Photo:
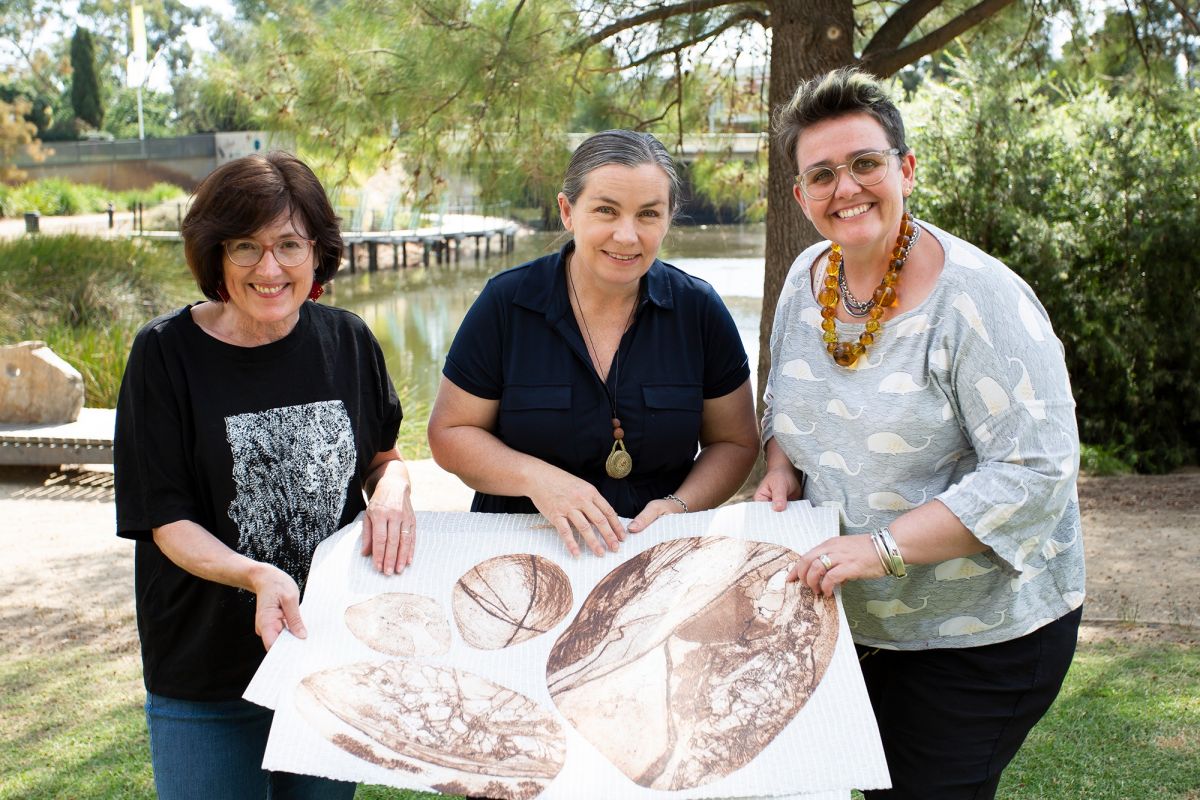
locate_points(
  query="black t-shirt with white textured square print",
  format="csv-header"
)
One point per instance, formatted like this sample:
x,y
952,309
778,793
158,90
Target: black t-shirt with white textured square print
x,y
266,448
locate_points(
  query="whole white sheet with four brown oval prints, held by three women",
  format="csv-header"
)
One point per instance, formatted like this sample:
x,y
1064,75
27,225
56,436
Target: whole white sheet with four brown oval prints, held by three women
x,y
663,672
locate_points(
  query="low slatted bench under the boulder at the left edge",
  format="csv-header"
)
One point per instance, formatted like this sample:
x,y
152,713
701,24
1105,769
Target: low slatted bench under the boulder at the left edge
x,y
88,441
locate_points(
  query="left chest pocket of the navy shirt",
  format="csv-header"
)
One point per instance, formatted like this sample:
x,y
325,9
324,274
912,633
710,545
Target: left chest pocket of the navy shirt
x,y
537,420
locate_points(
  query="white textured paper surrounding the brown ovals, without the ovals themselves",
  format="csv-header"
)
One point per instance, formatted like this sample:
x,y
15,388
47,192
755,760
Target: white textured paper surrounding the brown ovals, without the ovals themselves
x,y
830,747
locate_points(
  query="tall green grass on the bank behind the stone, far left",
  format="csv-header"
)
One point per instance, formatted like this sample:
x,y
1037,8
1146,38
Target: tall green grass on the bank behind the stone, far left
x,y
87,298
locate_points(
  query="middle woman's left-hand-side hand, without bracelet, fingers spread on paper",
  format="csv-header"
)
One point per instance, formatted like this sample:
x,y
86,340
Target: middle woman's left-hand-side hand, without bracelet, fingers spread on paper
x,y
573,504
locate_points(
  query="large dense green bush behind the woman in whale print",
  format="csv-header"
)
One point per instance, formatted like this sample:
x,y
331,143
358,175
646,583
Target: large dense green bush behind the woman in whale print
x,y
1094,200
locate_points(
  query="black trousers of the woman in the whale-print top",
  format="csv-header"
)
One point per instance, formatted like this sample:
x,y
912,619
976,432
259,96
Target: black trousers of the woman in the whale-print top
x,y
952,720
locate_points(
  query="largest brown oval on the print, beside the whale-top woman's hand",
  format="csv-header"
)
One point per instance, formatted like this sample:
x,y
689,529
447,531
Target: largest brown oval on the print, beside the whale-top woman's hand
x,y
700,647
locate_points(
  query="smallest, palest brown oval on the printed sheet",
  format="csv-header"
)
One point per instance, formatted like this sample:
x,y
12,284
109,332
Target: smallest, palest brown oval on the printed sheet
x,y
401,624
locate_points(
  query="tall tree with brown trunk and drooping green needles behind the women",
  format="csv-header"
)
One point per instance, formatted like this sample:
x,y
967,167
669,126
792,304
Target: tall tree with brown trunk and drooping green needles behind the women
x,y
497,77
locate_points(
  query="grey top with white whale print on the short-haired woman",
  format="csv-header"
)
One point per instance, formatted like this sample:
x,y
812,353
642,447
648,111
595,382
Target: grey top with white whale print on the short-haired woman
x,y
964,400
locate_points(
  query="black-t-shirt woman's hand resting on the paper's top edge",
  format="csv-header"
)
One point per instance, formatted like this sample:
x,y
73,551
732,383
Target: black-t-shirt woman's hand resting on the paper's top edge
x,y
389,526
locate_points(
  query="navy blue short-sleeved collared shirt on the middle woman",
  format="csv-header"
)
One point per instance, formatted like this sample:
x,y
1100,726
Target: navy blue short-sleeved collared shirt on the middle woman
x,y
520,345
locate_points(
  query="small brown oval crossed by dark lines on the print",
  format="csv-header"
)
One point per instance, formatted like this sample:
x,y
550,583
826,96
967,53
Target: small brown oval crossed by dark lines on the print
x,y
511,599
